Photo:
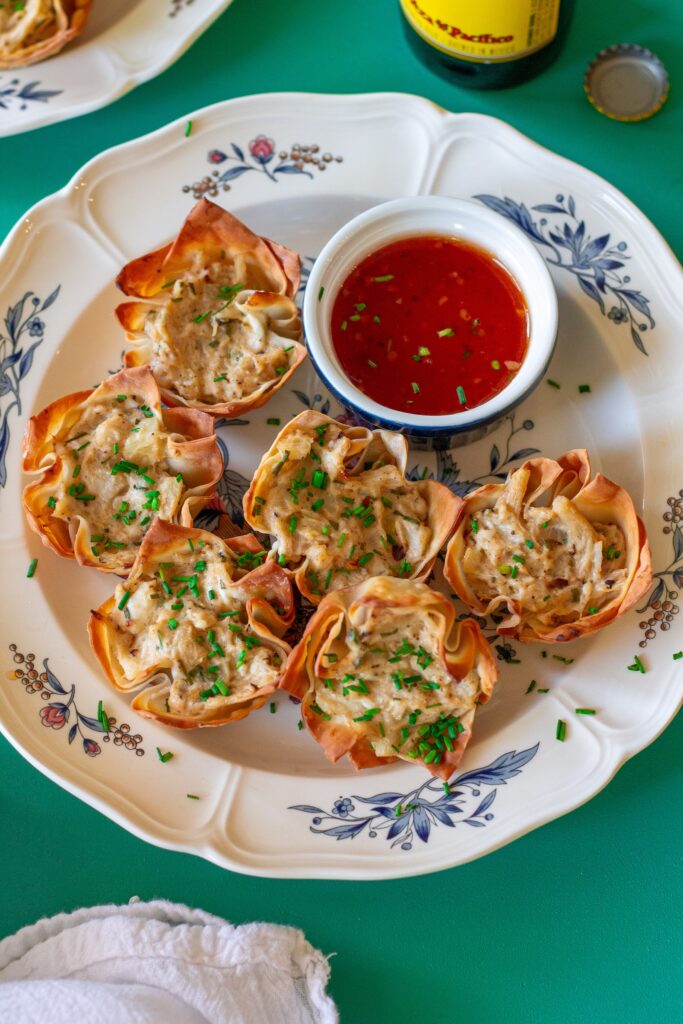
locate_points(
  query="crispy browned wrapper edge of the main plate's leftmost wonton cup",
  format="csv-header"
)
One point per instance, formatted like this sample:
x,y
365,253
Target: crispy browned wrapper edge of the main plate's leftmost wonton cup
x,y
194,451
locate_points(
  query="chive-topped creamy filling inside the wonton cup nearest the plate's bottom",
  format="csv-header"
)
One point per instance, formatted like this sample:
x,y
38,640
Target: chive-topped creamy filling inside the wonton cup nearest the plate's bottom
x,y
390,679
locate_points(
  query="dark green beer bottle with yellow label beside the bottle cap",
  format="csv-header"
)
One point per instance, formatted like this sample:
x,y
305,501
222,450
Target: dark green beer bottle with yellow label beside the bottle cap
x,y
487,45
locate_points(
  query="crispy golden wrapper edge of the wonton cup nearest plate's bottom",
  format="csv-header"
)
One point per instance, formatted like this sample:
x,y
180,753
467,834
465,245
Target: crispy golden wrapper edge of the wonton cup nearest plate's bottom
x,y
462,647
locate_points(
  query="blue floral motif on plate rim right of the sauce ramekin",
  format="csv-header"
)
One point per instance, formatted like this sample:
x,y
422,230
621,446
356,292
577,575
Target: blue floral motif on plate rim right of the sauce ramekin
x,y
595,263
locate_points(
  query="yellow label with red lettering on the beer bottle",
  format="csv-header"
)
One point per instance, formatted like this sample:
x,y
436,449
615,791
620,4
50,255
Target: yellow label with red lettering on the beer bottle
x,y
485,30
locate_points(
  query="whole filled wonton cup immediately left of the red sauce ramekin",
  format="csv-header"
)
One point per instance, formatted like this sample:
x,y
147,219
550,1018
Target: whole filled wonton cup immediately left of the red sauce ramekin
x,y
219,327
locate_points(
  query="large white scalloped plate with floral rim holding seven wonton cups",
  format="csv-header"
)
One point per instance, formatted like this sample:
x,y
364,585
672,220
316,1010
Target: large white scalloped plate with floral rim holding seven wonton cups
x,y
270,803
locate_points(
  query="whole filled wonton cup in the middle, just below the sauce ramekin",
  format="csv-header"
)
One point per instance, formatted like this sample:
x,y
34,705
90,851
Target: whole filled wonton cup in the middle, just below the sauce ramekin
x,y
340,509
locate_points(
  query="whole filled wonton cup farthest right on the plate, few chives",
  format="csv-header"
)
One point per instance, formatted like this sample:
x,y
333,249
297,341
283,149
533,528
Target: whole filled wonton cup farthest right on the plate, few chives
x,y
556,553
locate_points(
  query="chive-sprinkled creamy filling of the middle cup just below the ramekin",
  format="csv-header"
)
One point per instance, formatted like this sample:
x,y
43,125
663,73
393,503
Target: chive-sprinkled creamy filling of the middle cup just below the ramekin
x,y
348,529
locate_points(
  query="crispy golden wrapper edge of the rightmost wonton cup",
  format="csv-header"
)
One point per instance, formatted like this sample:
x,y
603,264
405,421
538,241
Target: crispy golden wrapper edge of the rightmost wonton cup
x,y
599,500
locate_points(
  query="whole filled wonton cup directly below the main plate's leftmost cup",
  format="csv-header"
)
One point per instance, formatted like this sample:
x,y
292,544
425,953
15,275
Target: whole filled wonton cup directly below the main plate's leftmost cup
x,y
207,643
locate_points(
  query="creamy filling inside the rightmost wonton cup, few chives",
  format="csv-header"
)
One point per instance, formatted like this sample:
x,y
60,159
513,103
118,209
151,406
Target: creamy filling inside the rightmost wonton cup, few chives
x,y
552,561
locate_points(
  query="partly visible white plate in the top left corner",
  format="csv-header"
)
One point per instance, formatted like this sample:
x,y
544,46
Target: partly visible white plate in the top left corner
x,y
125,42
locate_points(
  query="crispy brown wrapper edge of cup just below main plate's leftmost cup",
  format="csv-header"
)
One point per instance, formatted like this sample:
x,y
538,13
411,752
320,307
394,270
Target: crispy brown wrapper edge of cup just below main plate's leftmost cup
x,y
269,584
